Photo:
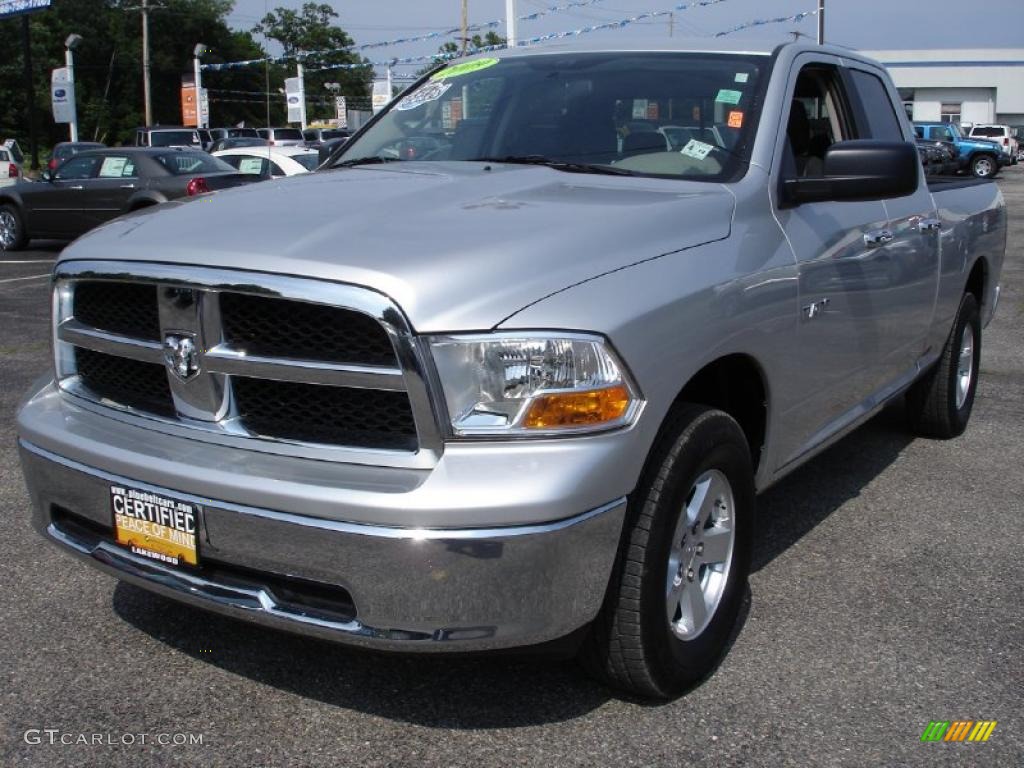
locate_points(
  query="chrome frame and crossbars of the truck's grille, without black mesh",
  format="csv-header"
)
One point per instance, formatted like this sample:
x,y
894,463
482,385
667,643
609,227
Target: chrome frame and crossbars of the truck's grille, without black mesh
x,y
411,374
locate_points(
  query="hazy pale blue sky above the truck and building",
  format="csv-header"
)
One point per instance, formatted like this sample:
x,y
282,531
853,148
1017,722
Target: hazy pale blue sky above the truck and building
x,y
872,25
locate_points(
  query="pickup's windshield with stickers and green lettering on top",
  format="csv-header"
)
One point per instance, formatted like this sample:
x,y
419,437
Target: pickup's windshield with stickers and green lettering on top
x,y
677,115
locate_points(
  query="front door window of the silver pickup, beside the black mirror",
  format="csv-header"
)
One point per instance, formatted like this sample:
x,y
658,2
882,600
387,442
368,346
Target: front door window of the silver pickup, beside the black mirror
x,y
817,120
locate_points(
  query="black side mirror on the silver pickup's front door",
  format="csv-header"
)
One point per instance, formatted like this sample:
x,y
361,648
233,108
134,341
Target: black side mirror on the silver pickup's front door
x,y
862,170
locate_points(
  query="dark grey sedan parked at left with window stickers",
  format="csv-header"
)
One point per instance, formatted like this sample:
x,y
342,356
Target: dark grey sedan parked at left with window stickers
x,y
97,186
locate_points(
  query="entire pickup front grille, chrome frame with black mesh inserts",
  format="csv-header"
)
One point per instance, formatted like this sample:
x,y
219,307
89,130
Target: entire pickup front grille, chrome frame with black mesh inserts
x,y
288,365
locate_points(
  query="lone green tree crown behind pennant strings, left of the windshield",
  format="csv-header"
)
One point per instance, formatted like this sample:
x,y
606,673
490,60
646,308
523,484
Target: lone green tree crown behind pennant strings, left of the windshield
x,y
310,33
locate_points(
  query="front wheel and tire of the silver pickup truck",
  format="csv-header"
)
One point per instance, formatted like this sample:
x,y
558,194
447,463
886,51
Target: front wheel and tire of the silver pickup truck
x,y
681,574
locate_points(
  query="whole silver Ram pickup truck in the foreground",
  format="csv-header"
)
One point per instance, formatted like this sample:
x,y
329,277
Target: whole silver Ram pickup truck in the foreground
x,y
515,368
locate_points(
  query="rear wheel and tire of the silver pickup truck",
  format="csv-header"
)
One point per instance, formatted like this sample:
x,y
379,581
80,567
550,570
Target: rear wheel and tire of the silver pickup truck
x,y
940,404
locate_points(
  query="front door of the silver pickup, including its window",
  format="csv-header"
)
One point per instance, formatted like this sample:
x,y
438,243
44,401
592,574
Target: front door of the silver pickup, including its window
x,y
840,339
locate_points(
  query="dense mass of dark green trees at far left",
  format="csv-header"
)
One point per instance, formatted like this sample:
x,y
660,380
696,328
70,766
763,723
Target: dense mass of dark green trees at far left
x,y
109,69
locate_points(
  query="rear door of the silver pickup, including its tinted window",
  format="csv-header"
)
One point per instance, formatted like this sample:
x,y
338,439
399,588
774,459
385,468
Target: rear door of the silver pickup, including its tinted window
x,y
910,259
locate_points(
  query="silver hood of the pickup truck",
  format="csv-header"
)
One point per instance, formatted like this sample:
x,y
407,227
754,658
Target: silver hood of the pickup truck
x,y
458,246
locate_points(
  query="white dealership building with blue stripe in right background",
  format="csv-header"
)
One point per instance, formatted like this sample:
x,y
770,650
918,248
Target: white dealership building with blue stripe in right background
x,y
983,86
